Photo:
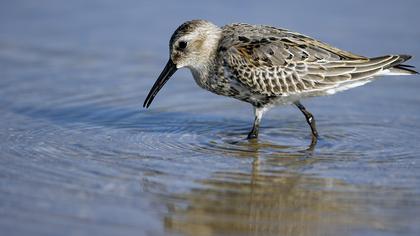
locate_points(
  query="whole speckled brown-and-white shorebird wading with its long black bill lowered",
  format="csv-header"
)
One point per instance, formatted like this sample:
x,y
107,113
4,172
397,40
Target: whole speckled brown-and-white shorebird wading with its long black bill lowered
x,y
267,66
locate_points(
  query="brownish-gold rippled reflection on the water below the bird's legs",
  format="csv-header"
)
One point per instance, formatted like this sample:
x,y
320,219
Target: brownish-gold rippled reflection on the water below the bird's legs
x,y
278,196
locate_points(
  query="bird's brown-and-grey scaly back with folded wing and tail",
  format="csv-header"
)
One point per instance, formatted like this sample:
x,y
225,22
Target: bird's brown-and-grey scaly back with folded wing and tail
x,y
272,63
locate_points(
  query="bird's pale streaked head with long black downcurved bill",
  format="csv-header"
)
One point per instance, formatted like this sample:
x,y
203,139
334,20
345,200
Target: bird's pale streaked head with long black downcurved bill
x,y
192,45
